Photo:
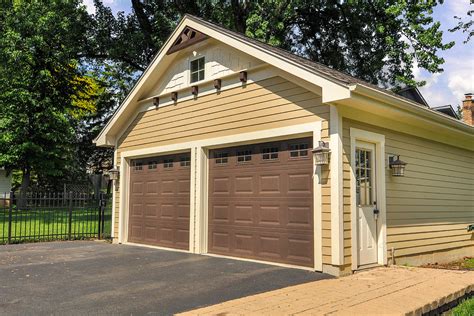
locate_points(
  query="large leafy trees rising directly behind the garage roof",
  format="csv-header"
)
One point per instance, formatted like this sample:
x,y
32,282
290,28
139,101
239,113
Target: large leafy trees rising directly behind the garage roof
x,y
377,41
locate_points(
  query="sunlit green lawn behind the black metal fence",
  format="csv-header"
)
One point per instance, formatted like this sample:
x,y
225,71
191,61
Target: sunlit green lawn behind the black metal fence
x,y
52,224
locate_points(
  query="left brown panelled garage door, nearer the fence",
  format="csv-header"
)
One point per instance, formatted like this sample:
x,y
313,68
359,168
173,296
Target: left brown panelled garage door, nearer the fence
x,y
159,201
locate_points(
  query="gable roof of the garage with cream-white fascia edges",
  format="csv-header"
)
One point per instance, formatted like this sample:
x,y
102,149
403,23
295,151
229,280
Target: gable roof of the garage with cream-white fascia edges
x,y
336,85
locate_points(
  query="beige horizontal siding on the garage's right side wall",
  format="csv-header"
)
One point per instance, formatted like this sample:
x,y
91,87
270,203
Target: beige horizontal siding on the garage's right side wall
x,y
429,209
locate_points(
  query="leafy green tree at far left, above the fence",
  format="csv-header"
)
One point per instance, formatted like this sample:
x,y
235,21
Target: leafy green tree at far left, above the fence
x,y
41,85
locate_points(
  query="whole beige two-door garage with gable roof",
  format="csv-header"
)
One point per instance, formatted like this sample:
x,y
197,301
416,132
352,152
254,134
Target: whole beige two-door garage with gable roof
x,y
214,150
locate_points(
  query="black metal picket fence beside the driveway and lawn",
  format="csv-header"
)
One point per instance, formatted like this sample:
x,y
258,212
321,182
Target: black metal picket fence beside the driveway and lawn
x,y
36,216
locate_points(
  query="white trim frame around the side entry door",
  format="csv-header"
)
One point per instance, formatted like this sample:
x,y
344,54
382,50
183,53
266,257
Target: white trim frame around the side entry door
x,y
379,141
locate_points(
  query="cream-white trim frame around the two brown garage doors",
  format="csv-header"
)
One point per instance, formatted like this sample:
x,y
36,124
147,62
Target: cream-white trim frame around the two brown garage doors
x,y
199,179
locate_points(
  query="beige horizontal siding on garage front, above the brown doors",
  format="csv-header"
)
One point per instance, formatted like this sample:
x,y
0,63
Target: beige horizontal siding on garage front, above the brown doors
x,y
266,104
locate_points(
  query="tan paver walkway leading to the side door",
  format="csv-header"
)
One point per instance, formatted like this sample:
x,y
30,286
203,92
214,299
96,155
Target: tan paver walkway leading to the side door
x,y
382,291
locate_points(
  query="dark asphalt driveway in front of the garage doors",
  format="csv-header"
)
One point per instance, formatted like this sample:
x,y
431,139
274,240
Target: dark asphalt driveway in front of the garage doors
x,y
98,278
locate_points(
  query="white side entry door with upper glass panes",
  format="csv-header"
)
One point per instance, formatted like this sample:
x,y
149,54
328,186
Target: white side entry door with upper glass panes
x,y
367,212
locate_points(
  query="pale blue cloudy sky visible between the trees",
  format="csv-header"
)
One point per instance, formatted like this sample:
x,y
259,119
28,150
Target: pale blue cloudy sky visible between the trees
x,y
443,88
